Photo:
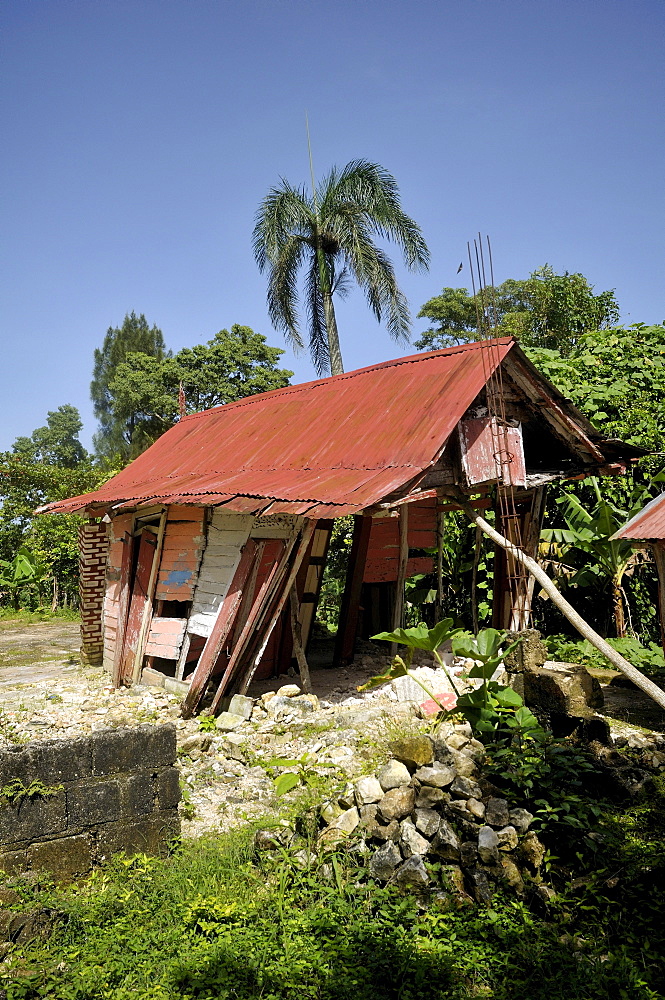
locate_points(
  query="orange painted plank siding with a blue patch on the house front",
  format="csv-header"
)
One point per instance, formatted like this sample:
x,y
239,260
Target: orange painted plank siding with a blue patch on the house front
x,y
181,554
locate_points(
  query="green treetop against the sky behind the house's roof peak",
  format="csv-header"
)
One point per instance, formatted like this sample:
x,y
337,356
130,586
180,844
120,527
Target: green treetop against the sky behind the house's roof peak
x,y
546,310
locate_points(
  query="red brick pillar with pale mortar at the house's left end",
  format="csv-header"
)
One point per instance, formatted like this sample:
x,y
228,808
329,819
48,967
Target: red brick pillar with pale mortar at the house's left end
x,y
93,550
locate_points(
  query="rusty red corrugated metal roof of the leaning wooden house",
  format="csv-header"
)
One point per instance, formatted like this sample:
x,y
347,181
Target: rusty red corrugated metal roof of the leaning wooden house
x,y
323,448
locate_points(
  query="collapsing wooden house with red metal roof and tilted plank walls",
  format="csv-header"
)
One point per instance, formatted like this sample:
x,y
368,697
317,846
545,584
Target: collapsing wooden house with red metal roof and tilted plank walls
x,y
203,559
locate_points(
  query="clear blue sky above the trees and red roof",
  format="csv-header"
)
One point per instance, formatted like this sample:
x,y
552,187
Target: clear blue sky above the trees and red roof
x,y
138,138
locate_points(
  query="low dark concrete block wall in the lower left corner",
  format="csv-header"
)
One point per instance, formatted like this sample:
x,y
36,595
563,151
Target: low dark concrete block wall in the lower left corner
x,y
119,792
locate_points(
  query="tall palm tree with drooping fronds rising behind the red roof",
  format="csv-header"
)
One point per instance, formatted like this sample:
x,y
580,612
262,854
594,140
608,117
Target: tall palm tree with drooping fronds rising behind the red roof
x,y
331,233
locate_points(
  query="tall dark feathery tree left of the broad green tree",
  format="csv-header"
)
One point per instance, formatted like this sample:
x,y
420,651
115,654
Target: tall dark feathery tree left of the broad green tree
x,y
122,437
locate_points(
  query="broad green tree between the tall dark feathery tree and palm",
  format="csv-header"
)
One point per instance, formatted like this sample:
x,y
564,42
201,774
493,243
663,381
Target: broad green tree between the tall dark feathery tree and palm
x,y
230,366
